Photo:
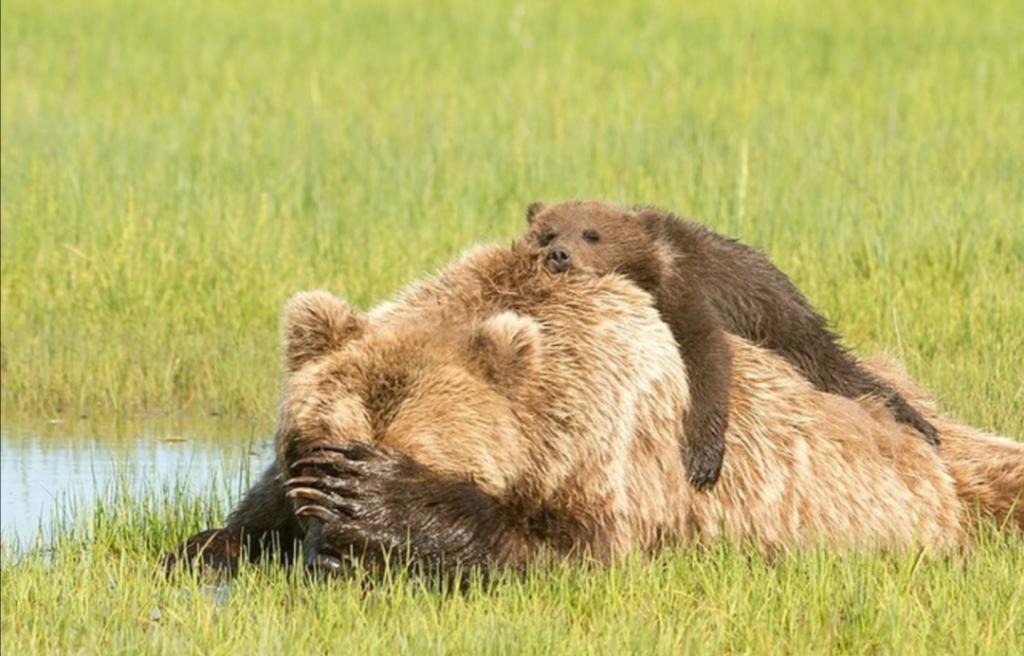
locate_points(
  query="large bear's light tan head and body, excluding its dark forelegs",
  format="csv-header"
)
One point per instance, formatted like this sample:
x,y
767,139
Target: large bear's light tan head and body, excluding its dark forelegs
x,y
566,393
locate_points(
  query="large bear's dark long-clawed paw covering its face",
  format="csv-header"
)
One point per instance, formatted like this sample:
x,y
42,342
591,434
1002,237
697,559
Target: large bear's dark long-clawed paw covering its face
x,y
348,493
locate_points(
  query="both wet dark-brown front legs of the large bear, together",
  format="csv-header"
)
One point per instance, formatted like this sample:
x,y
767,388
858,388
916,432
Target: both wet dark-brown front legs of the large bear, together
x,y
358,505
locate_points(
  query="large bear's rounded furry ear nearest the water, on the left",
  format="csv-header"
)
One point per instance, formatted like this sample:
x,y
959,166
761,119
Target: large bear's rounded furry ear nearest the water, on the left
x,y
316,324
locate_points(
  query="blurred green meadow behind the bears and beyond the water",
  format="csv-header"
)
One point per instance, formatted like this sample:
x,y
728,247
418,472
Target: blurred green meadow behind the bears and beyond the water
x,y
173,172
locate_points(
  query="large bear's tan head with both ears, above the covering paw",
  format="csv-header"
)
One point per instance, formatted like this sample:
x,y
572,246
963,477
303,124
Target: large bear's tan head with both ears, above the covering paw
x,y
446,398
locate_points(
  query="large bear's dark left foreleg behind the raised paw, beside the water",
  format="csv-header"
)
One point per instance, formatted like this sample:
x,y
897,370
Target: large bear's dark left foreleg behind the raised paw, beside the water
x,y
264,524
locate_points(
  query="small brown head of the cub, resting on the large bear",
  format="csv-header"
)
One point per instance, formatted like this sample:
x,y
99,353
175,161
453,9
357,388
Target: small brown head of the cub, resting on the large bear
x,y
593,237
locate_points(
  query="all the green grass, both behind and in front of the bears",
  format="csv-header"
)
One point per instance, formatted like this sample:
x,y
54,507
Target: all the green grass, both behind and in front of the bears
x,y
173,172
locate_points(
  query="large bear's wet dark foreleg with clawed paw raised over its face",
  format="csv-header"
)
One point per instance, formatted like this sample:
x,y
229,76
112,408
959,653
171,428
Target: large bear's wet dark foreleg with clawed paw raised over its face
x,y
376,506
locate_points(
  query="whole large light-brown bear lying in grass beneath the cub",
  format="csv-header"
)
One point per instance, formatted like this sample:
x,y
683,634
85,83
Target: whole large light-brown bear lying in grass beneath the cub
x,y
498,414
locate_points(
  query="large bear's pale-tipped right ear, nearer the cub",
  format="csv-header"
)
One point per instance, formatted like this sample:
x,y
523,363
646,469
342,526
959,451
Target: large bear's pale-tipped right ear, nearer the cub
x,y
507,348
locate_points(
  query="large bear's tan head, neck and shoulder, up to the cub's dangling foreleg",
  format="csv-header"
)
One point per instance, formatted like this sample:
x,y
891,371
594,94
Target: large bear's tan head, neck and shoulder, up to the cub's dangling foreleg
x,y
494,372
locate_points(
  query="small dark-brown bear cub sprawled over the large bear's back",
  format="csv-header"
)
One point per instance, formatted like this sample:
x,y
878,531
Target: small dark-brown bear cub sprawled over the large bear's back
x,y
705,285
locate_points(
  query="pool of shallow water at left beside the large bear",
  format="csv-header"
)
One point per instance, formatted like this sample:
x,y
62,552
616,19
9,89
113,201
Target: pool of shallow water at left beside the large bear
x,y
46,466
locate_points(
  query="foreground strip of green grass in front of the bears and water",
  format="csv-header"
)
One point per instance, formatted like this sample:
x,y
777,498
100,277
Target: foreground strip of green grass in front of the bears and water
x,y
101,590
